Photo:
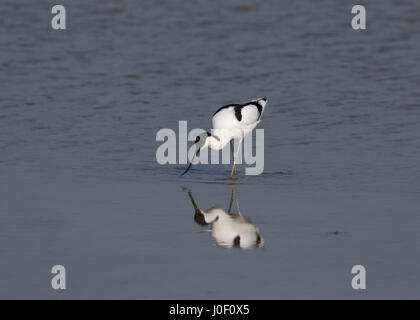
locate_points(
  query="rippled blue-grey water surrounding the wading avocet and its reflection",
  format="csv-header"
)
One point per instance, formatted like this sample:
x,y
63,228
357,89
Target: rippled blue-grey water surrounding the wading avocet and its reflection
x,y
80,185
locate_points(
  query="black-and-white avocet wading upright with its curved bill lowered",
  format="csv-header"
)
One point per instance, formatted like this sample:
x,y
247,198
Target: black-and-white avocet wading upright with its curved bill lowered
x,y
233,121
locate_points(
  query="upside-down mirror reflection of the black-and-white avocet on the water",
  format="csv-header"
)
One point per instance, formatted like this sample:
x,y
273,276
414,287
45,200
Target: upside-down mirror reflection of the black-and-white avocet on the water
x,y
230,230
